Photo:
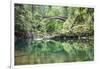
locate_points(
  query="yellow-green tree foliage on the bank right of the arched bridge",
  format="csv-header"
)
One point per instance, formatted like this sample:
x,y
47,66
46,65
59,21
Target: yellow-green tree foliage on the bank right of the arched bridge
x,y
80,20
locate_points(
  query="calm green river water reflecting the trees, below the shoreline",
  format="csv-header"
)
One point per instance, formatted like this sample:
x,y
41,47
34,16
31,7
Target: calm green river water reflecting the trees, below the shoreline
x,y
28,51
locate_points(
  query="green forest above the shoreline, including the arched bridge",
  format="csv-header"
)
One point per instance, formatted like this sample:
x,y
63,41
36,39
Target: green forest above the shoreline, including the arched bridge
x,y
54,20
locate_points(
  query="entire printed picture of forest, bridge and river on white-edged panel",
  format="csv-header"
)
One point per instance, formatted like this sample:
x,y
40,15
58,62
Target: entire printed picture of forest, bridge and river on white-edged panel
x,y
52,29
